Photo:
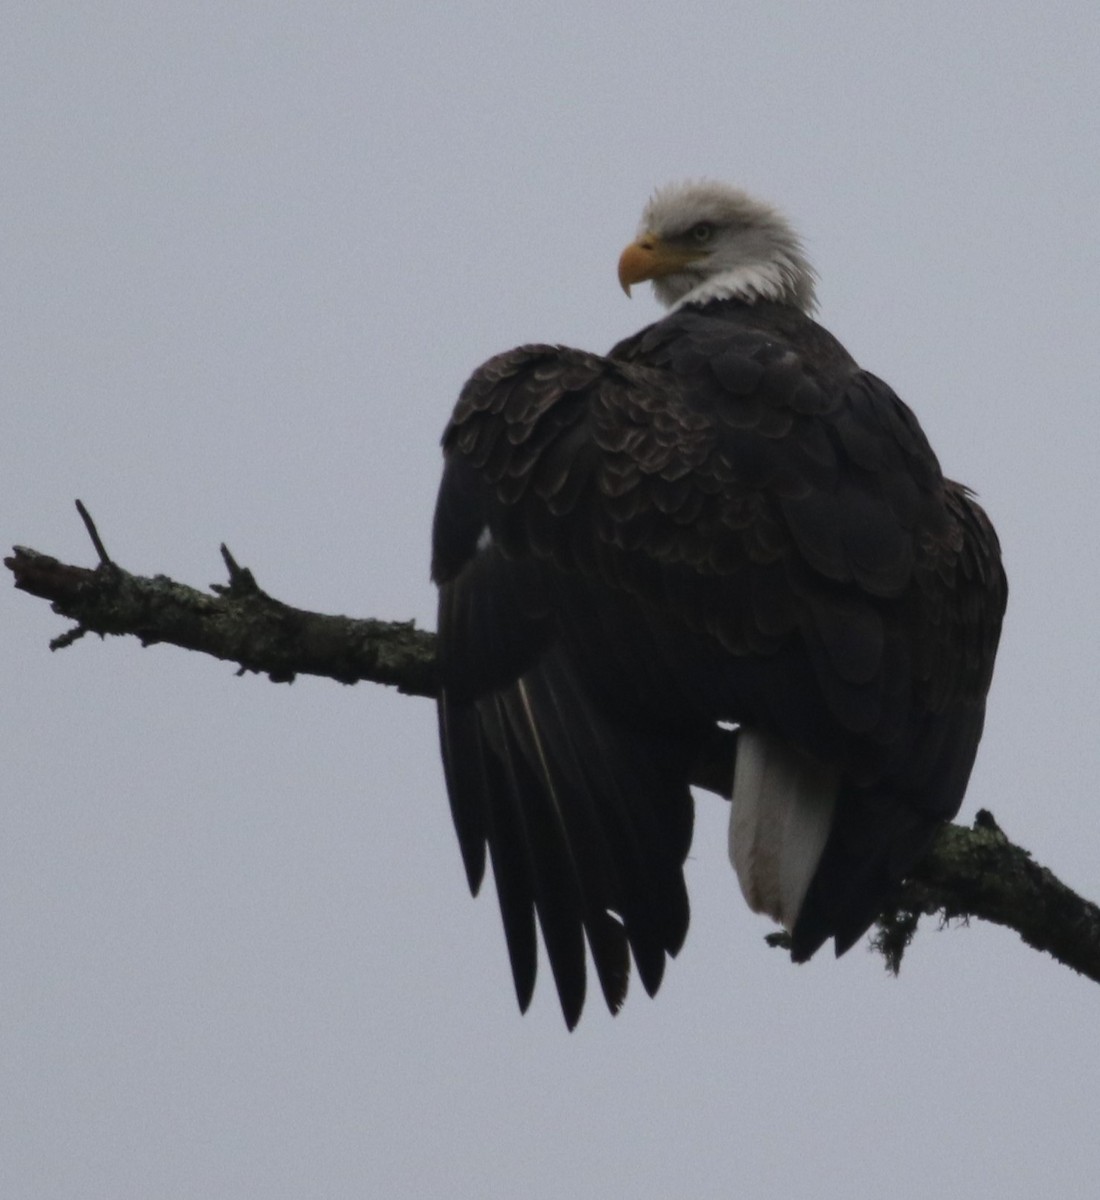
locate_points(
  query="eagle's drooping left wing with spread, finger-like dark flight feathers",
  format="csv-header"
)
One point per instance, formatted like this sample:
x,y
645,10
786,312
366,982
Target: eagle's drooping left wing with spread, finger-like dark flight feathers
x,y
587,818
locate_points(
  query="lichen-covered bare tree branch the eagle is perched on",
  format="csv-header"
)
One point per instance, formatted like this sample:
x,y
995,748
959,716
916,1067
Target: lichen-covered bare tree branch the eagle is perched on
x,y
969,873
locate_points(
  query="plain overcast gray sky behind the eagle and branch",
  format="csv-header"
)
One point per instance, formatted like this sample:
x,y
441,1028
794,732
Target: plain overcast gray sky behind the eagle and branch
x,y
251,251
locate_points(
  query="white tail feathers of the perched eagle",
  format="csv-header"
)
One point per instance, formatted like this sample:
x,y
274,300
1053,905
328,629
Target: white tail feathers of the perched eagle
x,y
779,823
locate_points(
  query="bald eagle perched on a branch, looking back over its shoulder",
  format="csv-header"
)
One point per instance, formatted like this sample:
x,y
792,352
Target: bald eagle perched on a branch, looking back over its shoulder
x,y
722,554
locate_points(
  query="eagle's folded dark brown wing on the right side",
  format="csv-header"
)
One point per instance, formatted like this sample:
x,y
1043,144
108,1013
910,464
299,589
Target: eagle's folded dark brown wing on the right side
x,y
889,817
